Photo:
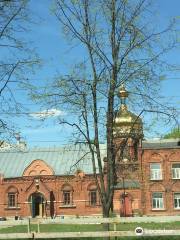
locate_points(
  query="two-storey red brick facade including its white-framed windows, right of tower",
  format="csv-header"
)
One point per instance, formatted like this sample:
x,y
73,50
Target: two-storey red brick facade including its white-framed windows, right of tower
x,y
165,180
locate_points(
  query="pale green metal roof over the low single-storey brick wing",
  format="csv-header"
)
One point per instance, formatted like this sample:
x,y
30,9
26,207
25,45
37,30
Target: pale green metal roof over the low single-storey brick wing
x,y
61,159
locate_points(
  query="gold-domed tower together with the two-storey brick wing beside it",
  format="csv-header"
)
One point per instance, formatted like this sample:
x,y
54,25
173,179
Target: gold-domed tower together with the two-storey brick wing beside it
x,y
148,172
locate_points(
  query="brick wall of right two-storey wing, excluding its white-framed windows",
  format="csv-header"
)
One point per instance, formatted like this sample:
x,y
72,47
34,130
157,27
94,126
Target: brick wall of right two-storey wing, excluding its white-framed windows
x,y
167,185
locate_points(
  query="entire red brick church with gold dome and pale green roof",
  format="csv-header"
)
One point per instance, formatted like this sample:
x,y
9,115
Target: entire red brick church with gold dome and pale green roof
x,y
47,182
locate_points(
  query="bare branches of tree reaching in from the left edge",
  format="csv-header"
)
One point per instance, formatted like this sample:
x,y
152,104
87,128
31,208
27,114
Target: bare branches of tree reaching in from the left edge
x,y
15,60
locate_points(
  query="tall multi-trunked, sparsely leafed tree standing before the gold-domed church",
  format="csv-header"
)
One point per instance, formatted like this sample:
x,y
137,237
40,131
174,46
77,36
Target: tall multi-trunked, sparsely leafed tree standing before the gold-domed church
x,y
122,47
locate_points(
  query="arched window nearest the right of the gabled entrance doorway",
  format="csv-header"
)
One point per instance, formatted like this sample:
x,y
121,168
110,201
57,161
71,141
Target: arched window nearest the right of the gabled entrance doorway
x,y
67,194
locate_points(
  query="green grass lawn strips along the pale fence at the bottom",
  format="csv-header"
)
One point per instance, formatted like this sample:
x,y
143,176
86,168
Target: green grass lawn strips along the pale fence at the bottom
x,y
97,227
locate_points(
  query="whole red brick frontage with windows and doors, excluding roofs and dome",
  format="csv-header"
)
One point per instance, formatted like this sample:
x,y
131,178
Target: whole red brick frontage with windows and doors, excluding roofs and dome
x,y
150,186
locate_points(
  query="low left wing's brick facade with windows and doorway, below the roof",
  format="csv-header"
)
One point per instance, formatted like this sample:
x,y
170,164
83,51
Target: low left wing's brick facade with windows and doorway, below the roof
x,y
46,195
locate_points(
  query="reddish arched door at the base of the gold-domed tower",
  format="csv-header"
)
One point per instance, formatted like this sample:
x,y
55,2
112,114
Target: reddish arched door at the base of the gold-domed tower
x,y
126,205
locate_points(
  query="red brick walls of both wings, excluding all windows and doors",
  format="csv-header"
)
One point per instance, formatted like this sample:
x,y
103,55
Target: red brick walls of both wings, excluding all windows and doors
x,y
80,184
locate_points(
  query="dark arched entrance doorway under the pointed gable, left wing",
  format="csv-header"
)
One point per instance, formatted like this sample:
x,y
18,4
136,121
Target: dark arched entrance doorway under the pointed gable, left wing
x,y
37,201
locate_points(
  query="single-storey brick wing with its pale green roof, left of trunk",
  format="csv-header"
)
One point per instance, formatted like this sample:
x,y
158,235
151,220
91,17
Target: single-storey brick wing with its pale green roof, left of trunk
x,y
42,182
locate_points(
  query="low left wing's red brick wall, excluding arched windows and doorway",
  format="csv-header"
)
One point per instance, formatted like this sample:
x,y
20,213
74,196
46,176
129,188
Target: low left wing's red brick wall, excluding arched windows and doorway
x,y
26,186
